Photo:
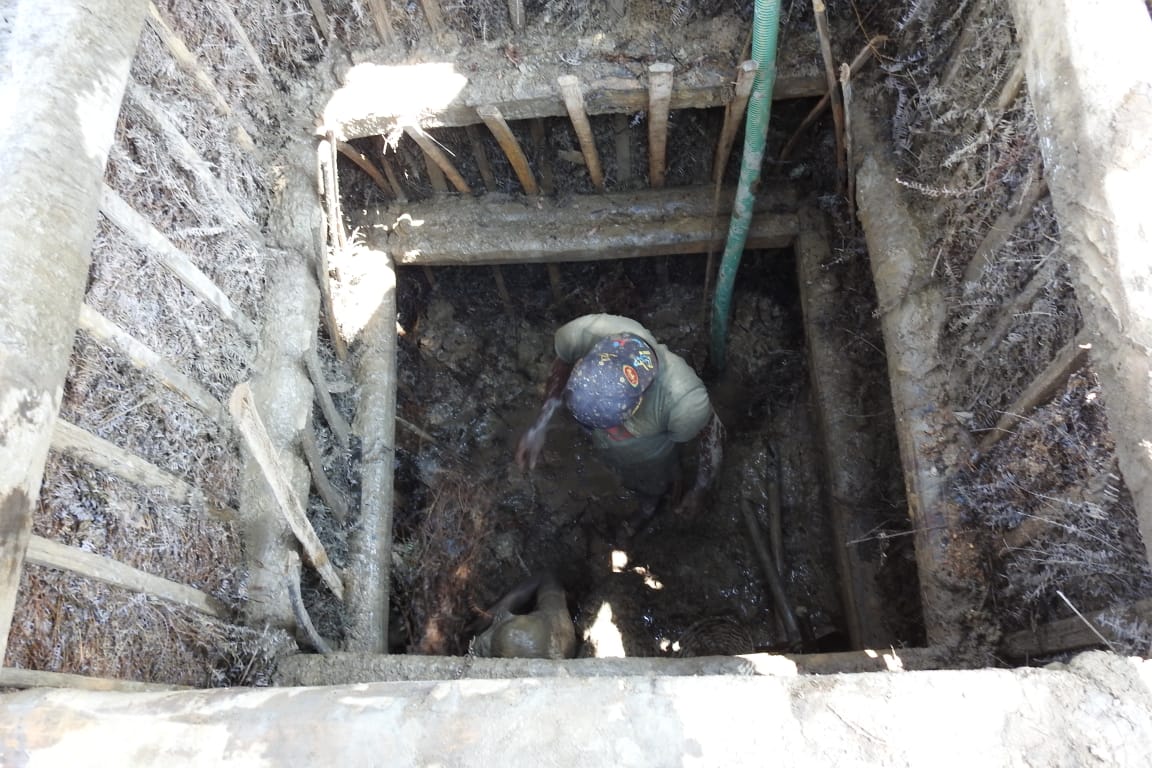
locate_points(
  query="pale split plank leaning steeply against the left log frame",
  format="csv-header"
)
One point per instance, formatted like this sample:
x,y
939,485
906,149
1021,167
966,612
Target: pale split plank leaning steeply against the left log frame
x,y
256,438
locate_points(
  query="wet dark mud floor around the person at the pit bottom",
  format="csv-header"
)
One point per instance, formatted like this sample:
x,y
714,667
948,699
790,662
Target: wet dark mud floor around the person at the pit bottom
x,y
469,524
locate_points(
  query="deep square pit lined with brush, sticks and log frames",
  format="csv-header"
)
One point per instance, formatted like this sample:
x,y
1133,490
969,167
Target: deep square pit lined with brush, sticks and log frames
x,y
1041,523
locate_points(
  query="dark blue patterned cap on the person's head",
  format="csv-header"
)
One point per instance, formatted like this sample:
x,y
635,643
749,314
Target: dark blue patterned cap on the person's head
x,y
608,384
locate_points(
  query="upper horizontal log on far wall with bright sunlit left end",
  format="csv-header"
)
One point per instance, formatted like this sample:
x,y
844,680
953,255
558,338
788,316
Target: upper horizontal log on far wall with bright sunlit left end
x,y
368,105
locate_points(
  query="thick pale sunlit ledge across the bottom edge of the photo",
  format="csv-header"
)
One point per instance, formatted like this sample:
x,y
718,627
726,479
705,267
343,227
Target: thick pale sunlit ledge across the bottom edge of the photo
x,y
1097,711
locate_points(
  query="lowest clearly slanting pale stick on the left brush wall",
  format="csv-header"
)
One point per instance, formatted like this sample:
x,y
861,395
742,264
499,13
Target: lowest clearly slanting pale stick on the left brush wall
x,y
54,554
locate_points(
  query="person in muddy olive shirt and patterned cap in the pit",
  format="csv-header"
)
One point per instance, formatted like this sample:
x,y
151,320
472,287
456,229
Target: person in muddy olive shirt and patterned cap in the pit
x,y
639,401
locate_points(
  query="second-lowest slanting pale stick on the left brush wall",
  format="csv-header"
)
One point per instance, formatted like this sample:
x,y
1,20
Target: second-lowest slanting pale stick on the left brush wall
x,y
70,439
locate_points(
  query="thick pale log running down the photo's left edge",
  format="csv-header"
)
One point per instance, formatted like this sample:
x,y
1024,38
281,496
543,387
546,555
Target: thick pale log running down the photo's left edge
x,y
69,49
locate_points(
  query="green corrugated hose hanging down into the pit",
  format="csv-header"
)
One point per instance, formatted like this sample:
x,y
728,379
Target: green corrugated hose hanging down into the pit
x,y
766,32
